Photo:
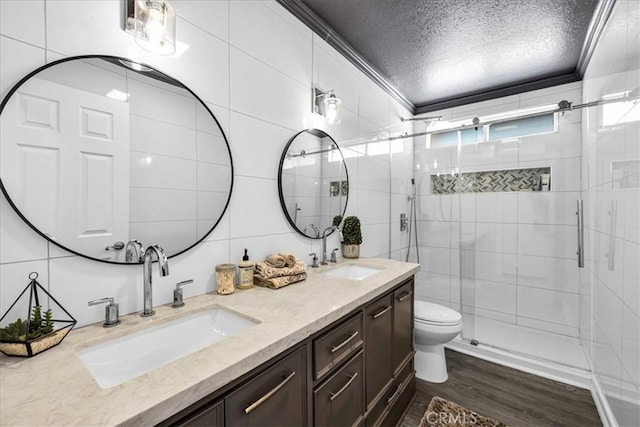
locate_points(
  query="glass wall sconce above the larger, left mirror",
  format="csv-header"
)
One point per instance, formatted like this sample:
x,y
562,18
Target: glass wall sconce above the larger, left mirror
x,y
153,25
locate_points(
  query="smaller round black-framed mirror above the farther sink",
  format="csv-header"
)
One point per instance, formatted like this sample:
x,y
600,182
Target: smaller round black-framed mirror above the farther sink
x,y
313,182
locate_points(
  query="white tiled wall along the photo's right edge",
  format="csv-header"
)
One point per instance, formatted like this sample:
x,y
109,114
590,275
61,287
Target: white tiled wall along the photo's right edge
x,y
610,281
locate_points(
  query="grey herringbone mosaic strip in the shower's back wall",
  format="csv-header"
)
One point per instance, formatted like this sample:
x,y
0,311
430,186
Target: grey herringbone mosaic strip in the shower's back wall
x,y
490,181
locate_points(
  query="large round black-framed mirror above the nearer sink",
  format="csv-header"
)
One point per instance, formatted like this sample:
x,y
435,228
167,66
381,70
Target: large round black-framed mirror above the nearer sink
x,y
102,156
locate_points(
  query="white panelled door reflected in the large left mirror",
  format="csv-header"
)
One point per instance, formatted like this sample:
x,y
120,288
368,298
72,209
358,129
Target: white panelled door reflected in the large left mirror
x,y
69,152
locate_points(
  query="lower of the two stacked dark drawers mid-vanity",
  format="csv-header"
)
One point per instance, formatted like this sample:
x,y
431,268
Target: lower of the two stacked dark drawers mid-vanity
x,y
340,400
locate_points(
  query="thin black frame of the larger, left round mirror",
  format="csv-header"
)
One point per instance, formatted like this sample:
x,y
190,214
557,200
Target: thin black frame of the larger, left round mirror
x,y
161,75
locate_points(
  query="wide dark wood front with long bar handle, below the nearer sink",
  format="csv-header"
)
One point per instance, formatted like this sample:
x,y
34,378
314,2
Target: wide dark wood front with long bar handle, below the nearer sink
x,y
276,397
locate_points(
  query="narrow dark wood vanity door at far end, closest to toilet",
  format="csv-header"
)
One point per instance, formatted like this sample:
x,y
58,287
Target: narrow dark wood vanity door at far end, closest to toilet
x,y
402,324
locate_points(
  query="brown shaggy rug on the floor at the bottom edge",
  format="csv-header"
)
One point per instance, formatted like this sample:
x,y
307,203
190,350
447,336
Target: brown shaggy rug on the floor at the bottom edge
x,y
443,413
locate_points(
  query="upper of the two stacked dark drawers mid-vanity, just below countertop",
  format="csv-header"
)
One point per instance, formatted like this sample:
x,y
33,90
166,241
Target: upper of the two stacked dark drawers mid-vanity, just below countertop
x,y
337,345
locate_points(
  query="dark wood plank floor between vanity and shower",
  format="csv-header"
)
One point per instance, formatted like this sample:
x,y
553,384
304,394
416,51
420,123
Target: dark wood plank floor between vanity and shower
x,y
513,397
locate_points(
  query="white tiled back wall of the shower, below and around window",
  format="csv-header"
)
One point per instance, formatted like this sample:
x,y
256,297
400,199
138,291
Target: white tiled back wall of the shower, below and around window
x,y
506,259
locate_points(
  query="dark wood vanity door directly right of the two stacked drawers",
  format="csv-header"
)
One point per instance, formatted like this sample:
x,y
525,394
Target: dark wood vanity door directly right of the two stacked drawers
x,y
378,346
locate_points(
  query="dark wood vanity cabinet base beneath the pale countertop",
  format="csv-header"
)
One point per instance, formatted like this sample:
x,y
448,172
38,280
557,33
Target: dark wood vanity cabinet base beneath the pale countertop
x,y
356,372
